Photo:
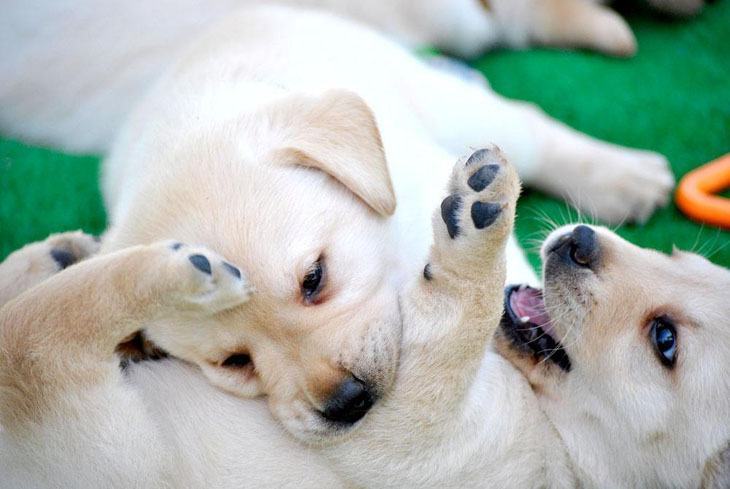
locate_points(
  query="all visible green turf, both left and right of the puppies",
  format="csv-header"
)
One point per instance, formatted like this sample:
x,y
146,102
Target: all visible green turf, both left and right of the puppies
x,y
673,97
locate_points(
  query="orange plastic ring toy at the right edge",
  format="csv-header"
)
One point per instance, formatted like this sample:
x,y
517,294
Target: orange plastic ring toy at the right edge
x,y
695,193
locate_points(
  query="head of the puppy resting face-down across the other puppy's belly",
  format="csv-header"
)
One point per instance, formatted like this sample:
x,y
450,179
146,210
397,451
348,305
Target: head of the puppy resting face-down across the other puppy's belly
x,y
296,194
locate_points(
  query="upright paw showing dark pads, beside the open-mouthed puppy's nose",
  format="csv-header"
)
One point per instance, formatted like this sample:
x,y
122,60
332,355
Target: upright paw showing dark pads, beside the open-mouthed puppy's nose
x,y
476,218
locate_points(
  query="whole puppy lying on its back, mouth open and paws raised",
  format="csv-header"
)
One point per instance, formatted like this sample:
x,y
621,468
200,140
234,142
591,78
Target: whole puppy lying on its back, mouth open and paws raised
x,y
459,415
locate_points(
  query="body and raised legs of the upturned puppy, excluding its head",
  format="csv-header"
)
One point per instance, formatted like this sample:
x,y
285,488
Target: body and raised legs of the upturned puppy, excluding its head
x,y
455,418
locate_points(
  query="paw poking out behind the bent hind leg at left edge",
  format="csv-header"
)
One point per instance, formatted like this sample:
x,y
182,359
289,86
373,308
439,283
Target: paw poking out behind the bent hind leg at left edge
x,y
36,262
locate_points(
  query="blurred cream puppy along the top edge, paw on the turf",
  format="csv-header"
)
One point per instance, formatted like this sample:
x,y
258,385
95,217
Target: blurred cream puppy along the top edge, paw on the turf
x,y
467,28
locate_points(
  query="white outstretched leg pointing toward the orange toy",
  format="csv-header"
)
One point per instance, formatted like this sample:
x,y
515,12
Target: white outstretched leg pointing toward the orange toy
x,y
610,182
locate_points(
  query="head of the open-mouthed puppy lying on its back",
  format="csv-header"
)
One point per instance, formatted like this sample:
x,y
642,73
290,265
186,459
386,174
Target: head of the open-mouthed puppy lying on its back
x,y
628,350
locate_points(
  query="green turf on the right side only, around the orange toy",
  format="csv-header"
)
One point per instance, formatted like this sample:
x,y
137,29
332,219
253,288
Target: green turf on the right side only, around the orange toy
x,y
673,97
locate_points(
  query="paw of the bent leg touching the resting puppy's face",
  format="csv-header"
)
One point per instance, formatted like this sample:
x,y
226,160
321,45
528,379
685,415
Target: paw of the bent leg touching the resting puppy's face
x,y
203,280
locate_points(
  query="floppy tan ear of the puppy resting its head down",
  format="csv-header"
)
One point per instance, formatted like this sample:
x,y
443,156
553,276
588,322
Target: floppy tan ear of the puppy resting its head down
x,y
337,133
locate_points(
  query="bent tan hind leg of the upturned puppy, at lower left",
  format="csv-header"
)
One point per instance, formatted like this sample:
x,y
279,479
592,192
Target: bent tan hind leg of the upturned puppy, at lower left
x,y
68,417
